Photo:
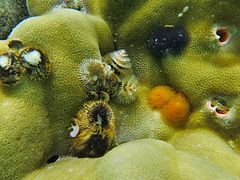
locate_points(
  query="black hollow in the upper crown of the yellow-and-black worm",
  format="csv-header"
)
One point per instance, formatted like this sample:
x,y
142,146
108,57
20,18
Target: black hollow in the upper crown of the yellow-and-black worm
x,y
100,112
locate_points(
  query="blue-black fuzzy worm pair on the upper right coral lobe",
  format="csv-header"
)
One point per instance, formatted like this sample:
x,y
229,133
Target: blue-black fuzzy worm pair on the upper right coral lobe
x,y
167,40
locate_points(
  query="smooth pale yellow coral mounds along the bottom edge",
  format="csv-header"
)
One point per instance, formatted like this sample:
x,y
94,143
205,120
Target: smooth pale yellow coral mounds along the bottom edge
x,y
161,160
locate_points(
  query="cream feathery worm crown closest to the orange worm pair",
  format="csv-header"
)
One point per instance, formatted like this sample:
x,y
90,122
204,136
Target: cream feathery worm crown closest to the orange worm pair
x,y
128,90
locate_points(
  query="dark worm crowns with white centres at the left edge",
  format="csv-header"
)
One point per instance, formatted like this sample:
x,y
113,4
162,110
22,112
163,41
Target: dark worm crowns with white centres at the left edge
x,y
20,60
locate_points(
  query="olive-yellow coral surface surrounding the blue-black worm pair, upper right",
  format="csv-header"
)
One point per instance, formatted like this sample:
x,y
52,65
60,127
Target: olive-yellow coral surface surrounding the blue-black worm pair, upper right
x,y
201,68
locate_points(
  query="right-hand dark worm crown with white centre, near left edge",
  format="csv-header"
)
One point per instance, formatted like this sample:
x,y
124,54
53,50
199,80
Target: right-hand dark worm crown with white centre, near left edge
x,y
35,62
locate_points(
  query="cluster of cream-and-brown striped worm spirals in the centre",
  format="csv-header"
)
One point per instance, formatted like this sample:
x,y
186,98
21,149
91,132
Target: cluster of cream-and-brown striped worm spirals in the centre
x,y
112,75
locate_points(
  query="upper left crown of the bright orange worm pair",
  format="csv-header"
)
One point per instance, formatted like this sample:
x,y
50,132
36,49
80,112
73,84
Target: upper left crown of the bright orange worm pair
x,y
160,96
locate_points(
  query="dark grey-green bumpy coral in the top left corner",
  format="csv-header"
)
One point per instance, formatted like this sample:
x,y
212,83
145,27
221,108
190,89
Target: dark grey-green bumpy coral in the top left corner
x,y
11,13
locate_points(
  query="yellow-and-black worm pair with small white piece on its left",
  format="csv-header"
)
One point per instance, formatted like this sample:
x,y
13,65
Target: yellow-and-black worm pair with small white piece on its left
x,y
94,129
